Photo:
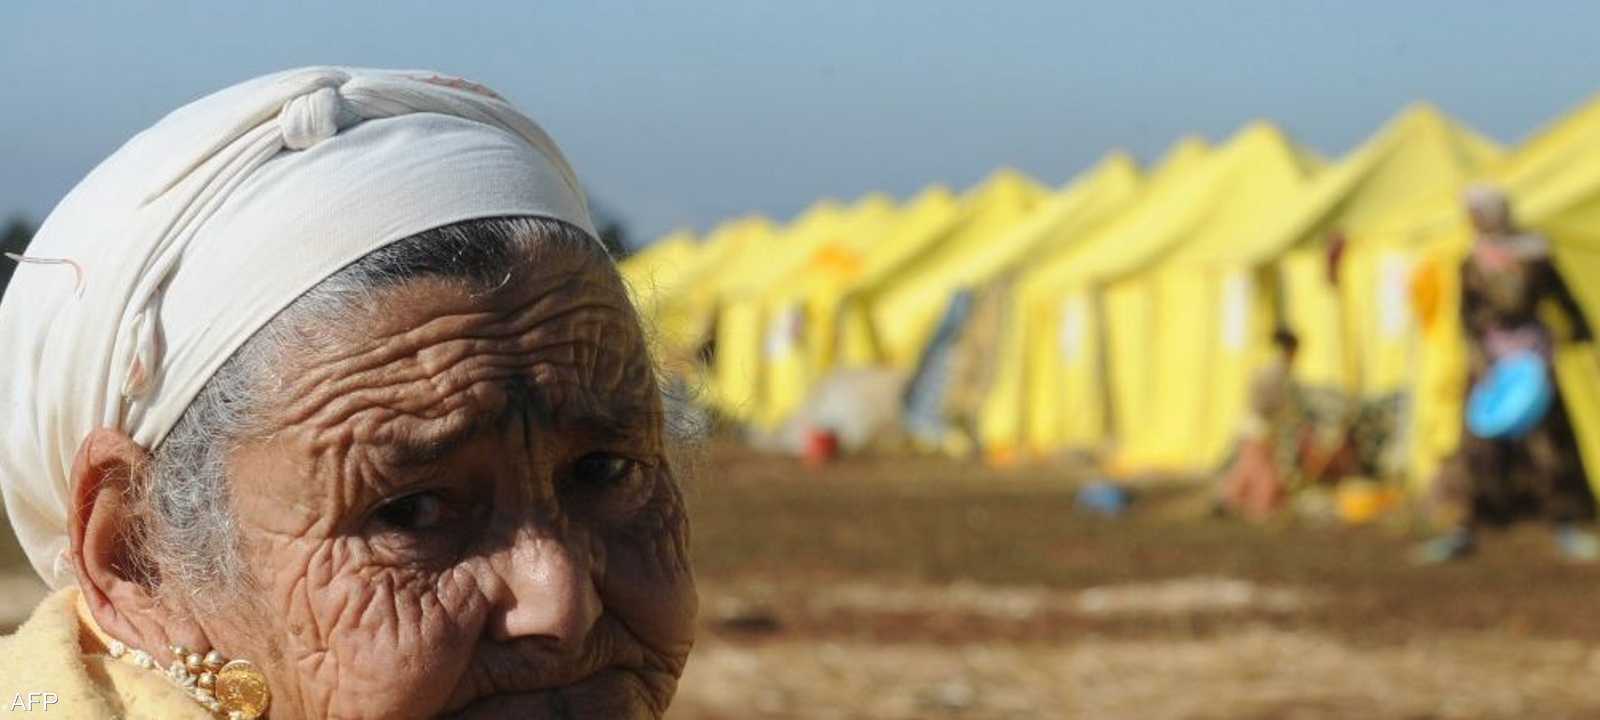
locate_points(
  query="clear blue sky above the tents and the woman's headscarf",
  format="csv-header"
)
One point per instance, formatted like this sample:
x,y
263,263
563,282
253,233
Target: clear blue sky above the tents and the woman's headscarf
x,y
682,114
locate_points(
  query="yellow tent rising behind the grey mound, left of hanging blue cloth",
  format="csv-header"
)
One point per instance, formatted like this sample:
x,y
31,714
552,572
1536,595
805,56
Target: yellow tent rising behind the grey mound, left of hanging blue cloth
x,y
895,306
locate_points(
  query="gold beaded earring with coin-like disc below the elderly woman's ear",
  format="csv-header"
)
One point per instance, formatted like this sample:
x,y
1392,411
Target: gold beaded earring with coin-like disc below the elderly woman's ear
x,y
233,690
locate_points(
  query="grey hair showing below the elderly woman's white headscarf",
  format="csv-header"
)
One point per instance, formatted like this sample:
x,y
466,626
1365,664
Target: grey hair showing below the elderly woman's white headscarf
x,y
190,540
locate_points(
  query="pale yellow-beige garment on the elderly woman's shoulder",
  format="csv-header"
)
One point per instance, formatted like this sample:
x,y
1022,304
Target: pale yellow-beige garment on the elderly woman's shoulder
x,y
55,657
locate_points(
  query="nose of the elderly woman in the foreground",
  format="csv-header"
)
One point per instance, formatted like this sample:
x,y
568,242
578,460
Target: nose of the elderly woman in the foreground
x,y
550,593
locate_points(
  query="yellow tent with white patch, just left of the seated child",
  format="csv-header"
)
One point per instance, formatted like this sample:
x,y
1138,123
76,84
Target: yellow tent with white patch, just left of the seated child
x,y
1186,322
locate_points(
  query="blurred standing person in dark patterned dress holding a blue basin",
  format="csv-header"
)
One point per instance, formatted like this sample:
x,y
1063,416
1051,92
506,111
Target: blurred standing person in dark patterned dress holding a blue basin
x,y
1514,302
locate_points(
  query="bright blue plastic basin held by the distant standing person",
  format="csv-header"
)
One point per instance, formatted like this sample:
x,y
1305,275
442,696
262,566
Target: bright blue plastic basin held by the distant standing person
x,y
1511,399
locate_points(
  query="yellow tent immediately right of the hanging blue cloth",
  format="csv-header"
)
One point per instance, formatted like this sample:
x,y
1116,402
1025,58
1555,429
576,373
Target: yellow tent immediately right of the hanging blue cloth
x,y
1050,369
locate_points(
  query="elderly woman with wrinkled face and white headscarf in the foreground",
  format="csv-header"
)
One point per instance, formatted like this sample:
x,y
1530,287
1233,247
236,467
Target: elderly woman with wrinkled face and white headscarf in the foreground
x,y
322,401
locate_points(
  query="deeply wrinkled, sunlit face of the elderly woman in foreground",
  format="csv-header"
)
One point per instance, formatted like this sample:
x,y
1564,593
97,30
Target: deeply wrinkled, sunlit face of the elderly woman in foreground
x,y
466,510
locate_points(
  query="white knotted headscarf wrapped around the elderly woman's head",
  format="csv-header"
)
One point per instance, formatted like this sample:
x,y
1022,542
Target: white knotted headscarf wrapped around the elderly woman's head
x,y
201,230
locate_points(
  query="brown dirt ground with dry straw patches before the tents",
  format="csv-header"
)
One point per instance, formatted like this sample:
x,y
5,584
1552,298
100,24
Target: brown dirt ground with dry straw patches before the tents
x,y
919,588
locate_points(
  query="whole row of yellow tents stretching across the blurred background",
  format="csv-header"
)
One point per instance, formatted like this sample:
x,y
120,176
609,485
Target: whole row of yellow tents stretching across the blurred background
x,y
1134,308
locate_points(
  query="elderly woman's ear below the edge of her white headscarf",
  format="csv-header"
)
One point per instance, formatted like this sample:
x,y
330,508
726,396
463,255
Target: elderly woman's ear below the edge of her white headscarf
x,y
105,527
